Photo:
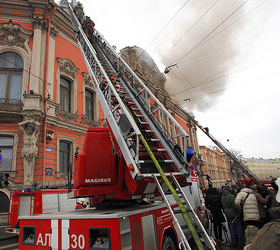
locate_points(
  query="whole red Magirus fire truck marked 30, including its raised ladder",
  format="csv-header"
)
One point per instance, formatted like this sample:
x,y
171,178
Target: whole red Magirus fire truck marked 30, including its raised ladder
x,y
130,170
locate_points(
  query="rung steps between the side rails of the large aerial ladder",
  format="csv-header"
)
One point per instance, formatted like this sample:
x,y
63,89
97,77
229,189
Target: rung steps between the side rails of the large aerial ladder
x,y
166,155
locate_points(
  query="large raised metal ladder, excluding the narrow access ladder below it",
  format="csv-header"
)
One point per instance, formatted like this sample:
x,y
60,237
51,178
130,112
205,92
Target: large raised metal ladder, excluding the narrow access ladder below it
x,y
126,104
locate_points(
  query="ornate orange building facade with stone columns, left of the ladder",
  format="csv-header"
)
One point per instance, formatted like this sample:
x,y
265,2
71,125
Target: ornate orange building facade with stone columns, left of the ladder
x,y
47,100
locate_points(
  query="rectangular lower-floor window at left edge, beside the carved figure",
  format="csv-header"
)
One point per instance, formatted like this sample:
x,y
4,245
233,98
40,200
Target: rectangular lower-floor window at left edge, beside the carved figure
x,y
6,147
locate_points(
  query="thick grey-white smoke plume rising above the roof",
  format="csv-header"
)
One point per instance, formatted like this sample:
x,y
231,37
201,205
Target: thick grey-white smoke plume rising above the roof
x,y
200,73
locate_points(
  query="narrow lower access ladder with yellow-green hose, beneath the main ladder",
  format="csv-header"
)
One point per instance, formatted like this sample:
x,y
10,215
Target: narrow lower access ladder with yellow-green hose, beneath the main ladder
x,y
185,220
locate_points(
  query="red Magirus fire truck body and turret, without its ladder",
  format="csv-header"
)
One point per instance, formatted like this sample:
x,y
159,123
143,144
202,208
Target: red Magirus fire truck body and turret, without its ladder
x,y
118,221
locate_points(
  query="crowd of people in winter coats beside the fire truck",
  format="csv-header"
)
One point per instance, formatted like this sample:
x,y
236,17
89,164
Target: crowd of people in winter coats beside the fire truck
x,y
252,214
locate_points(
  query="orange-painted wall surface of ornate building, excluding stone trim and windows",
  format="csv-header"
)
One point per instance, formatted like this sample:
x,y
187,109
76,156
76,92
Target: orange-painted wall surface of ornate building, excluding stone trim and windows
x,y
64,50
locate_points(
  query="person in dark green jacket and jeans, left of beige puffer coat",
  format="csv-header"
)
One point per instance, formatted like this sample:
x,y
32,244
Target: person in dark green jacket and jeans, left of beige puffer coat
x,y
232,215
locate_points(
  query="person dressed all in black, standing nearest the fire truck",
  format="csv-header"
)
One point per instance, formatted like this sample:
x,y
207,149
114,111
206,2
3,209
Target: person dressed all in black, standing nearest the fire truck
x,y
213,203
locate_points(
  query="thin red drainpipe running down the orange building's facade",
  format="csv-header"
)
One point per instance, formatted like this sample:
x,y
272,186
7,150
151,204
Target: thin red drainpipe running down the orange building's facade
x,y
46,98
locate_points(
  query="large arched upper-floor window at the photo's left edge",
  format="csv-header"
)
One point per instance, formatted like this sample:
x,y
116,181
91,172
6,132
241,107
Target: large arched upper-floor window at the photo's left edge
x,y
11,65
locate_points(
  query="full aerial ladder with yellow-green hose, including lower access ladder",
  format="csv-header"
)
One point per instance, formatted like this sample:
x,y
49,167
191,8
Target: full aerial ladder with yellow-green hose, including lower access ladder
x,y
152,154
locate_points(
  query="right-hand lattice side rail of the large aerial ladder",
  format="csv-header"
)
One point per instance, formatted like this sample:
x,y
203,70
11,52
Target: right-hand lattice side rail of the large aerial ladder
x,y
171,135
